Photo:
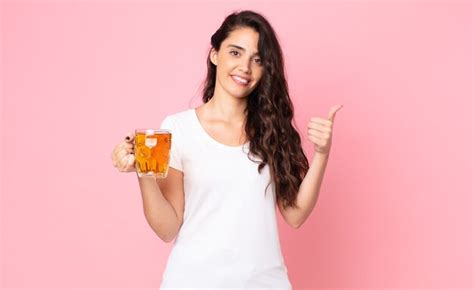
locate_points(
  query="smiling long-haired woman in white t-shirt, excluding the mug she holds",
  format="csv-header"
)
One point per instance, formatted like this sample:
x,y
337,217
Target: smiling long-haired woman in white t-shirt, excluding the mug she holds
x,y
233,160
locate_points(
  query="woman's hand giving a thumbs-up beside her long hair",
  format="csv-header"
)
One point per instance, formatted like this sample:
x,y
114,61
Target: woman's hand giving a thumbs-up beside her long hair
x,y
320,131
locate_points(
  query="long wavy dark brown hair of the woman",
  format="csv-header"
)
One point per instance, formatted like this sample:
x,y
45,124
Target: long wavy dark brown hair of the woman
x,y
269,110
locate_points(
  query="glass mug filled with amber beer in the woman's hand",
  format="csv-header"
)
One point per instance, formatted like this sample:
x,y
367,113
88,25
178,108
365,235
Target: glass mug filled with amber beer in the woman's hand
x,y
152,152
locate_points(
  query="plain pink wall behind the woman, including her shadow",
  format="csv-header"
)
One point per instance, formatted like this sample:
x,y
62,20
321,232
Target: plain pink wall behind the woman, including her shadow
x,y
395,208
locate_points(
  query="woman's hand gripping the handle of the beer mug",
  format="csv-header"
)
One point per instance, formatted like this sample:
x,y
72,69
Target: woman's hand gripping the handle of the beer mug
x,y
123,155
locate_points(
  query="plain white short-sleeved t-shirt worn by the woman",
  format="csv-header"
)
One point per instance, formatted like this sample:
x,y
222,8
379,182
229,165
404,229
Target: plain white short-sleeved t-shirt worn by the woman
x,y
229,236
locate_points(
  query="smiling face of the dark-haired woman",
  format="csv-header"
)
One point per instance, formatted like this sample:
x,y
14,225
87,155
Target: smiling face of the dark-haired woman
x,y
238,63
